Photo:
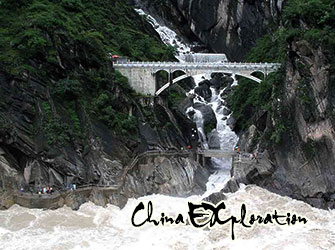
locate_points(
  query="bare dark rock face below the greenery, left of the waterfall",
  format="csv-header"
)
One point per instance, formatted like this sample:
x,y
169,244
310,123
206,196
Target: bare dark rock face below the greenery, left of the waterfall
x,y
29,161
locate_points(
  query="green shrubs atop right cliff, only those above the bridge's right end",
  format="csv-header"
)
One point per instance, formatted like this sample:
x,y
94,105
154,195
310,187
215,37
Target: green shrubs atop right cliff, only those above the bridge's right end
x,y
311,20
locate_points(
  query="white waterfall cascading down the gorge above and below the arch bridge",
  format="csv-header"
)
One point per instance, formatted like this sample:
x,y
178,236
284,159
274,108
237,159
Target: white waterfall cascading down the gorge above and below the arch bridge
x,y
227,138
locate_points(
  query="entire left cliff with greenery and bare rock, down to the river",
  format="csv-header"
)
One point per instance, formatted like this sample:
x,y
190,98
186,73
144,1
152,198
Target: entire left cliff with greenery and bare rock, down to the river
x,y
66,117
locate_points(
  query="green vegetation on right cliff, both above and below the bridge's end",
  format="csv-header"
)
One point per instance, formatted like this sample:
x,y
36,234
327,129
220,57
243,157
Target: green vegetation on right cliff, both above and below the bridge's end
x,y
310,20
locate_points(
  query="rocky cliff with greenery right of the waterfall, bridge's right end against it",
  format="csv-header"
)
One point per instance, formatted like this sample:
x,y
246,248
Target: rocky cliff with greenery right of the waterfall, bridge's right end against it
x,y
293,131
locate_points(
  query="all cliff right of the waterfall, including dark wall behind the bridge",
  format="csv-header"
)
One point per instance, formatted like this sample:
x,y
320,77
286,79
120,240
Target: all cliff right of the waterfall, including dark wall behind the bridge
x,y
289,119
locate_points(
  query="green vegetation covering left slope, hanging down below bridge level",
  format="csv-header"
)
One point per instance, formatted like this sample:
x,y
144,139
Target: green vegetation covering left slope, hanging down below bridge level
x,y
67,44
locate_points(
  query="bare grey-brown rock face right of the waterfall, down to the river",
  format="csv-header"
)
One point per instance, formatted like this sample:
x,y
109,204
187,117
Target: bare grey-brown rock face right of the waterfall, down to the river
x,y
302,165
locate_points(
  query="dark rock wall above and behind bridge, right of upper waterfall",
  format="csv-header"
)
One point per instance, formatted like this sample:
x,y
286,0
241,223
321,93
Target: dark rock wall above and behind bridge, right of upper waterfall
x,y
227,26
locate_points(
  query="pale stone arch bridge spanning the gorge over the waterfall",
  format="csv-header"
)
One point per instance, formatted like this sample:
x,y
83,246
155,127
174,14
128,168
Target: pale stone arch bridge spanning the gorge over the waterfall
x,y
142,75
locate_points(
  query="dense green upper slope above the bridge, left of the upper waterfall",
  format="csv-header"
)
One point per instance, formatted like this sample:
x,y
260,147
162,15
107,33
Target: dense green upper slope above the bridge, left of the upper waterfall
x,y
60,34
